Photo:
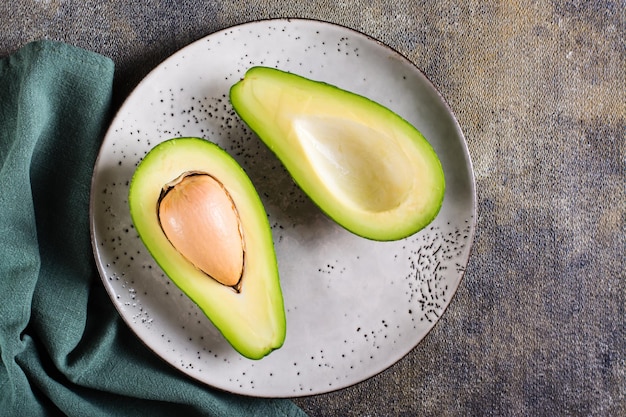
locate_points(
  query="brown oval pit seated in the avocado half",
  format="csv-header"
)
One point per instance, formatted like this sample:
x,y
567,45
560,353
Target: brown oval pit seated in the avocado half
x,y
199,218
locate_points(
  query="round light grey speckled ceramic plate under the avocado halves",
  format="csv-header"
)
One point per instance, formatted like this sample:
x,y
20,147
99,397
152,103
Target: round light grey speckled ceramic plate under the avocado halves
x,y
354,307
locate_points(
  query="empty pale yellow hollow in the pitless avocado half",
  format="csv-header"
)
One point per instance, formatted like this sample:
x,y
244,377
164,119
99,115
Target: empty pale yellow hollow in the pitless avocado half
x,y
366,169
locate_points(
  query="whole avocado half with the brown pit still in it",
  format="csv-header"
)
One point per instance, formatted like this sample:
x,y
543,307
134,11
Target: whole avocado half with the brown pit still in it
x,y
199,215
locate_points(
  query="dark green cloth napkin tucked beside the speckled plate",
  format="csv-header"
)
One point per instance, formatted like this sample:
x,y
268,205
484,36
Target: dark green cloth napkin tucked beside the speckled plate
x,y
64,348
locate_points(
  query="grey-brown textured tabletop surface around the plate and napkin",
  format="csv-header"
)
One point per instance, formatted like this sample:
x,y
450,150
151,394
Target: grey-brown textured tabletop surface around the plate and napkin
x,y
537,325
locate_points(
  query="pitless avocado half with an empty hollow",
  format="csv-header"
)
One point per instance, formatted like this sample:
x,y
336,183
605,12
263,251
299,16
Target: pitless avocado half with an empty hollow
x,y
362,164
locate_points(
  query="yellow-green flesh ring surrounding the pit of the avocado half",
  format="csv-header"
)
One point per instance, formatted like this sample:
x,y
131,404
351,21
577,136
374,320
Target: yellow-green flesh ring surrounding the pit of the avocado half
x,y
253,319
